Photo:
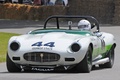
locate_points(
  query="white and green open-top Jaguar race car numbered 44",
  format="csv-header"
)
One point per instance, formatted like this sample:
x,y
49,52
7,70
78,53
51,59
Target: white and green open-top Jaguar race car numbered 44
x,y
61,48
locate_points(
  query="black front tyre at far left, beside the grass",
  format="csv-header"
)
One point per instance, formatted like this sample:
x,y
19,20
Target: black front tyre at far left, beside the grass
x,y
11,67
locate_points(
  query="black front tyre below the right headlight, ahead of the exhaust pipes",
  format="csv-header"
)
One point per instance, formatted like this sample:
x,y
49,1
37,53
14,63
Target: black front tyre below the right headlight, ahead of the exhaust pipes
x,y
86,64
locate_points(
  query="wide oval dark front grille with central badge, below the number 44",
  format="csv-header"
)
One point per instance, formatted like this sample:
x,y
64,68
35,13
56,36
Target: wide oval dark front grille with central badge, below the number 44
x,y
41,57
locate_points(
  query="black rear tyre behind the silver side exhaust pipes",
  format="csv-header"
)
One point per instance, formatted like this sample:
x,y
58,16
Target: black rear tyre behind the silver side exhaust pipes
x,y
111,56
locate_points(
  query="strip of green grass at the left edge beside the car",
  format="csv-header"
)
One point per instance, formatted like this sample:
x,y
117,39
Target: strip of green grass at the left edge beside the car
x,y
4,38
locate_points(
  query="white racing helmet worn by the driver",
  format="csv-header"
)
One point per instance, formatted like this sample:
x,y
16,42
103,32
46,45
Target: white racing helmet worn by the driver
x,y
84,25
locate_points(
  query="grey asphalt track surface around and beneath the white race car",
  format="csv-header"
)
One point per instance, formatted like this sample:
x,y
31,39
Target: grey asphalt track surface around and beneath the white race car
x,y
98,74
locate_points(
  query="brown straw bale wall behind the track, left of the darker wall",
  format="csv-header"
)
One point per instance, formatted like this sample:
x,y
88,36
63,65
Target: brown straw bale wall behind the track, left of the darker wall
x,y
29,12
